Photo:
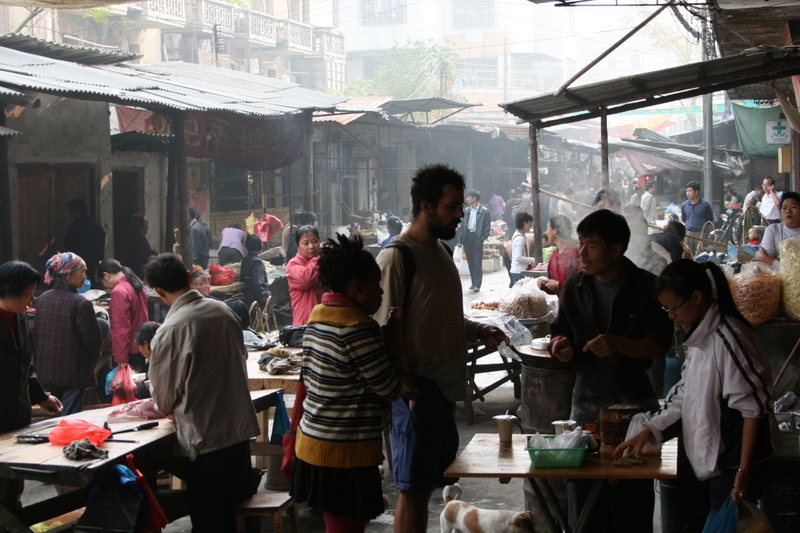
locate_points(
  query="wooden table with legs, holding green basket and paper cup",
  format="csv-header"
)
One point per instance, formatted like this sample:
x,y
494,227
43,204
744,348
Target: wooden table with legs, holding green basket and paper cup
x,y
485,457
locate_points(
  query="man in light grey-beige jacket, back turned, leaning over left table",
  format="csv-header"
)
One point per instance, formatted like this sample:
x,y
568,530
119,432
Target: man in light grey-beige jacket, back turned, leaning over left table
x,y
199,377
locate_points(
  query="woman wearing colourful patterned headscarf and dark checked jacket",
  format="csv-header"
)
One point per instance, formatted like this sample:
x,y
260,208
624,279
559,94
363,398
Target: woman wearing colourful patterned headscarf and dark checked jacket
x,y
67,334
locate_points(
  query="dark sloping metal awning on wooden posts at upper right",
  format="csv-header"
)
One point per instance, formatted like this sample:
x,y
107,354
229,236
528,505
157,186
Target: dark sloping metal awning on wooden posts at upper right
x,y
653,88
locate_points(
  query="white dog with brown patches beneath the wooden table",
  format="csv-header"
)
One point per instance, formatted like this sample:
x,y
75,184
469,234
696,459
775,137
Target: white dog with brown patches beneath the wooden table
x,y
466,518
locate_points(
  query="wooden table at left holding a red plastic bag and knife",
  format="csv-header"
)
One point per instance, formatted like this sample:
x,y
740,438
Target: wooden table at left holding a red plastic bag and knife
x,y
46,462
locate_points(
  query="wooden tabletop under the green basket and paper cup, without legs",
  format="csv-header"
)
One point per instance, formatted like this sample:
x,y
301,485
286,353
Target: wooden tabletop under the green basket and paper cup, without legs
x,y
484,457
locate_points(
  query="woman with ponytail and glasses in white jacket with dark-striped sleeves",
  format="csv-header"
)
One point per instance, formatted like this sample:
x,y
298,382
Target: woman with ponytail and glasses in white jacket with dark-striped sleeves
x,y
722,406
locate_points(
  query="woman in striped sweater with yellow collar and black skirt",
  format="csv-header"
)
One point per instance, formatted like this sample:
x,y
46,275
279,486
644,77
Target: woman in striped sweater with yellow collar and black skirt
x,y
351,370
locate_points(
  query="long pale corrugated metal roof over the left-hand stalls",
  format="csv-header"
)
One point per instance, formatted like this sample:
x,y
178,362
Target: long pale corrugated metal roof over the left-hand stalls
x,y
179,86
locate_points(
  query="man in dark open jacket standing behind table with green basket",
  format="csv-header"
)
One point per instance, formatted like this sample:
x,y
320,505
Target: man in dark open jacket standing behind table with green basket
x,y
610,326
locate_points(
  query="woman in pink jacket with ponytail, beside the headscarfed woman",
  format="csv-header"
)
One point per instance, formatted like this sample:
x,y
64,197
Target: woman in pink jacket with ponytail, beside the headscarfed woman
x,y
127,310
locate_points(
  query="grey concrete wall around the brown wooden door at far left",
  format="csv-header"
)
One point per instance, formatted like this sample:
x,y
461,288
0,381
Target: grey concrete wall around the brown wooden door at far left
x,y
62,132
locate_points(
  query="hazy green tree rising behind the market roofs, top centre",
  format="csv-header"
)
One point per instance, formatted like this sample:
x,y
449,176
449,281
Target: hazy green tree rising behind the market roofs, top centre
x,y
415,70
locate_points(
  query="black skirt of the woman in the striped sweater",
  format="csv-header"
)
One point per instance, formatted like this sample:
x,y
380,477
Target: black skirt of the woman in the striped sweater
x,y
349,492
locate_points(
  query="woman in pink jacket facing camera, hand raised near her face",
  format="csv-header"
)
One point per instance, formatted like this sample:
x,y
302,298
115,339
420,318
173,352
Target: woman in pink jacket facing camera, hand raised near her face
x,y
304,288
